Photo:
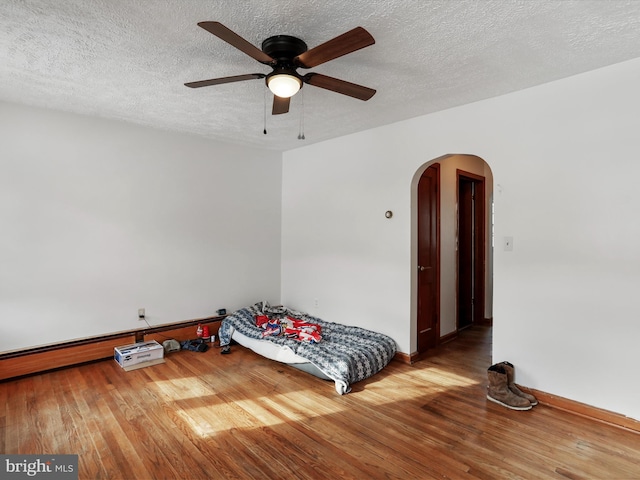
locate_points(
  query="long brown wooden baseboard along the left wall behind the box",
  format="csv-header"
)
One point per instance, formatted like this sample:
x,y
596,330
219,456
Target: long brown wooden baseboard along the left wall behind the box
x,y
19,363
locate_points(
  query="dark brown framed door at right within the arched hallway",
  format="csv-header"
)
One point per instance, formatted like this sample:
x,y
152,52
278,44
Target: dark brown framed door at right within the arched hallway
x,y
471,247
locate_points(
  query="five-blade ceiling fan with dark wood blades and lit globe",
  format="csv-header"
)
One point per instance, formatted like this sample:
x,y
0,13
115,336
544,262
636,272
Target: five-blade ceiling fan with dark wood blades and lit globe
x,y
285,54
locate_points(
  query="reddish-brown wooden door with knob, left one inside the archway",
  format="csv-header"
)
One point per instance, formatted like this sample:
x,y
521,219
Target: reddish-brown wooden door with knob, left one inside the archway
x,y
428,267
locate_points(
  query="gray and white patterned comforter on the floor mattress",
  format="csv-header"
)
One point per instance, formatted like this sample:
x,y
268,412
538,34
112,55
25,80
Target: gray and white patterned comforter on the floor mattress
x,y
346,354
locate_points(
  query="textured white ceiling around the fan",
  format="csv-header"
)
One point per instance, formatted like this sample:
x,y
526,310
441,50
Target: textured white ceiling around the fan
x,y
129,59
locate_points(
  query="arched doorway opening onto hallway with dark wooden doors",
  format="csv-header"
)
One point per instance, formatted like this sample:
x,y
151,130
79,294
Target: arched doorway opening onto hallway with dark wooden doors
x,y
454,169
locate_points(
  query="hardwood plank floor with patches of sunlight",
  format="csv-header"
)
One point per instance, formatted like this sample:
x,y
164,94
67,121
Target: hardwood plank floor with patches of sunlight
x,y
206,415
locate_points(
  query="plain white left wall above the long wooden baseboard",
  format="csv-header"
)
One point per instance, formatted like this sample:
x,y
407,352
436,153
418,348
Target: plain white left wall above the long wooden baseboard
x,y
99,218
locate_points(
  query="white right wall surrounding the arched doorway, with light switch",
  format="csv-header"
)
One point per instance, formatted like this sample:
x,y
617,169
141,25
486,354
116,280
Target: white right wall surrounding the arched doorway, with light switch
x,y
563,157
